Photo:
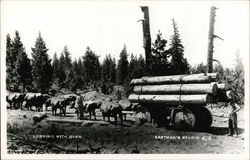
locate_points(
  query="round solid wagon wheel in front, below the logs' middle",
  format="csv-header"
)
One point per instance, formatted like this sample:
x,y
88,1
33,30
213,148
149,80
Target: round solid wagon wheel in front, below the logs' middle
x,y
184,119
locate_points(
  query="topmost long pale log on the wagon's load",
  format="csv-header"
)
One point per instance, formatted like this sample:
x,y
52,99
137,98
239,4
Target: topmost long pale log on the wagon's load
x,y
175,79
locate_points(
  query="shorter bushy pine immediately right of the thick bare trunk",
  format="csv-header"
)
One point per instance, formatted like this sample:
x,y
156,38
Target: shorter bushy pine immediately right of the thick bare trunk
x,y
160,57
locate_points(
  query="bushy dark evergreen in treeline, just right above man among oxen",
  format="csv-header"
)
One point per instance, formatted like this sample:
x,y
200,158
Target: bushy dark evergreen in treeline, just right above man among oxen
x,y
91,66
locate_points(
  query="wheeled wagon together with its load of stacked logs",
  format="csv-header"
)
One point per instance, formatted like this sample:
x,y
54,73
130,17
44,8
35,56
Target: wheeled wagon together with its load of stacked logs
x,y
179,100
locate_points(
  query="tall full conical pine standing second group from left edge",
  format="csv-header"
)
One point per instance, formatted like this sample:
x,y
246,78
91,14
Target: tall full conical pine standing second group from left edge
x,y
41,66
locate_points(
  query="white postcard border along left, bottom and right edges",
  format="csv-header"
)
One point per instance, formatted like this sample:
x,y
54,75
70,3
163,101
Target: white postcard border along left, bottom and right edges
x,y
4,155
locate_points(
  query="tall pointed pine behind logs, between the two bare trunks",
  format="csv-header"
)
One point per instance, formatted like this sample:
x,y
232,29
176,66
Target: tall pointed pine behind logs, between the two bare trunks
x,y
179,64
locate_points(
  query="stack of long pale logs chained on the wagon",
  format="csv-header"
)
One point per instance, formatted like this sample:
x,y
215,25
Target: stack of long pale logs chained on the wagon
x,y
178,89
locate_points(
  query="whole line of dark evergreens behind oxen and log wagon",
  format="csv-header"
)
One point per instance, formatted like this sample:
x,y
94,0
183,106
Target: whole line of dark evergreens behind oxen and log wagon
x,y
43,74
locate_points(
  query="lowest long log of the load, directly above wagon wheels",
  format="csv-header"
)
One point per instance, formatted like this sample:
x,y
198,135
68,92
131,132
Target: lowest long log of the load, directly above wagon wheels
x,y
170,99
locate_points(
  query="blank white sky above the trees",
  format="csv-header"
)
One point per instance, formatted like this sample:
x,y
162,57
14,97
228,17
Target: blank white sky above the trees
x,y
105,26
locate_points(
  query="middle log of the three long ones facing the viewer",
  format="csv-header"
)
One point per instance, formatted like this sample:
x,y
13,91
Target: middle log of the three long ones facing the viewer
x,y
207,88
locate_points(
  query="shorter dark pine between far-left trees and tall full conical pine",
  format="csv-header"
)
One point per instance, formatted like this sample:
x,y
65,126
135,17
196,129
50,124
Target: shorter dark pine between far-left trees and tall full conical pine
x,y
23,69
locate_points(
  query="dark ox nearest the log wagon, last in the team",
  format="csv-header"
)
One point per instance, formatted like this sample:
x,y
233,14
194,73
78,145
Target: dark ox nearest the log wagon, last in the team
x,y
111,108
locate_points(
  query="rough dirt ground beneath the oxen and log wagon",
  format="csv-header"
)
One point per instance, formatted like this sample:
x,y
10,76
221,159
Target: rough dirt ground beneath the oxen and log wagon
x,y
93,137
